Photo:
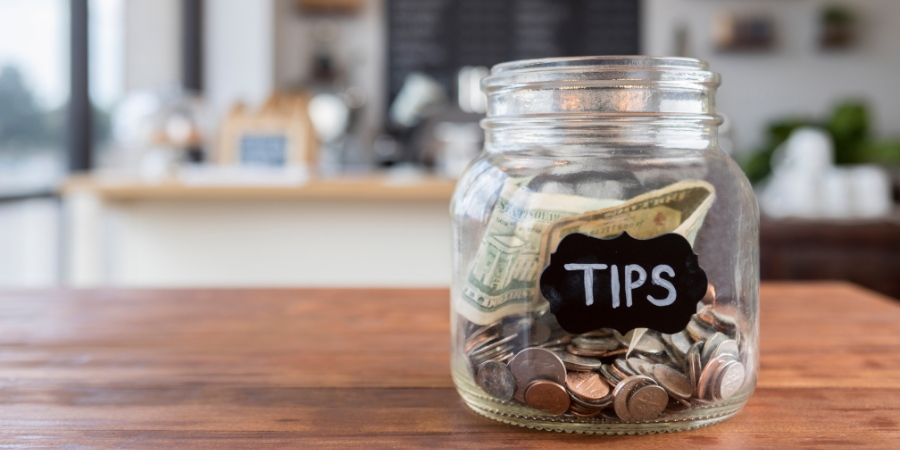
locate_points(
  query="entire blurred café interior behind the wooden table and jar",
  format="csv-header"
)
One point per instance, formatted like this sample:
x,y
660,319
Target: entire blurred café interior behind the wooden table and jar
x,y
316,142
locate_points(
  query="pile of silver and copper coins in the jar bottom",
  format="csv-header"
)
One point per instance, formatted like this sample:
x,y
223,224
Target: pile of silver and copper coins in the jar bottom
x,y
530,360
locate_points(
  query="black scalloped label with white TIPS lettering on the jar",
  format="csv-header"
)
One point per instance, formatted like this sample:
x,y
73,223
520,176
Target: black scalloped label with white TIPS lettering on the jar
x,y
623,283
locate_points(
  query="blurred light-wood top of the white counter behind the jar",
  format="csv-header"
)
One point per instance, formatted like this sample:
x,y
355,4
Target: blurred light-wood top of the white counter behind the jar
x,y
370,187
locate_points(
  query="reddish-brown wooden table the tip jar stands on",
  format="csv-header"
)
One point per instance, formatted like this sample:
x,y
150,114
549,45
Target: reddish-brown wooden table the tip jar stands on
x,y
341,368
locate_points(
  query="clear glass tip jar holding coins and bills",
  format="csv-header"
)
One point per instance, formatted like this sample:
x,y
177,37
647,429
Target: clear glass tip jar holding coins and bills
x,y
605,251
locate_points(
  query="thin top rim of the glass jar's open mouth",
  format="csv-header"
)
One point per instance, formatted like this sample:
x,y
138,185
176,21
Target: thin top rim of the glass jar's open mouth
x,y
601,62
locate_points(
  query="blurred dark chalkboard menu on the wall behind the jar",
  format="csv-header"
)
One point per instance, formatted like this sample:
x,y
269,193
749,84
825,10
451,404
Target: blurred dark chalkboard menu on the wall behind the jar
x,y
438,37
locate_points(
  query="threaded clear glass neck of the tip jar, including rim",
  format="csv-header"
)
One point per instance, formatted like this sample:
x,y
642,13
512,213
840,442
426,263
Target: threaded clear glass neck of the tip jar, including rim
x,y
628,101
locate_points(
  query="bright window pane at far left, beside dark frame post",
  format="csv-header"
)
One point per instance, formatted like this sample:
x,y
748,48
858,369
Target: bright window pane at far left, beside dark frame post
x,y
33,93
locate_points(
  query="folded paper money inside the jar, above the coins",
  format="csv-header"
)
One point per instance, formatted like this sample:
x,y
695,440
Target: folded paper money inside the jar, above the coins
x,y
525,228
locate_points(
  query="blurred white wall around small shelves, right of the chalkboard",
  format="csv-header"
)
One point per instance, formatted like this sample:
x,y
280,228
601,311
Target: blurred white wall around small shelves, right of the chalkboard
x,y
796,78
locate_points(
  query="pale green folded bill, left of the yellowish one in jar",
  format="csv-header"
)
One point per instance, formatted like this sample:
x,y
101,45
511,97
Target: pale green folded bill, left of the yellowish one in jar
x,y
503,277
